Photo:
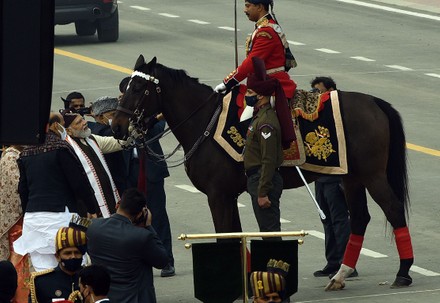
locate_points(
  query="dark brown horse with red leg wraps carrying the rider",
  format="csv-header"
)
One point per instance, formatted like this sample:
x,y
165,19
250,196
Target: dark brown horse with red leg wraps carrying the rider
x,y
375,146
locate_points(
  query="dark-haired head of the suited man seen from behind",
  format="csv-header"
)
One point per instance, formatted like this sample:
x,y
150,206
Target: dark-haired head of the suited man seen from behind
x,y
133,204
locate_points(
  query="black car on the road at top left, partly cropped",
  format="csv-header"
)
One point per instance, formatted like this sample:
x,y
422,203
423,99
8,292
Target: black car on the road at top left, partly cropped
x,y
90,16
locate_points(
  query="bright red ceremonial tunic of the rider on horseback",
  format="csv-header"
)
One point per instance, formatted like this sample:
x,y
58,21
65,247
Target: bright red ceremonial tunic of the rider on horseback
x,y
265,44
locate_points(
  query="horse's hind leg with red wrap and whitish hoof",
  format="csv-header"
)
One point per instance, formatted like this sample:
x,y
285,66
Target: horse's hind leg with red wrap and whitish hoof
x,y
359,217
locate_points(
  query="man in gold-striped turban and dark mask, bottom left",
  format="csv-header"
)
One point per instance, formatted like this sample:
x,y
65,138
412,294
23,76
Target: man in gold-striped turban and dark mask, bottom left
x,y
60,282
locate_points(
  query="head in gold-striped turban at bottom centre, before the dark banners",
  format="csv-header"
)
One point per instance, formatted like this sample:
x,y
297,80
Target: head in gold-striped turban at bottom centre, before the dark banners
x,y
270,286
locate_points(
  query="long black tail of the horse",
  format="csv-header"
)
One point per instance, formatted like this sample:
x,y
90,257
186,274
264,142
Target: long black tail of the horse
x,y
397,159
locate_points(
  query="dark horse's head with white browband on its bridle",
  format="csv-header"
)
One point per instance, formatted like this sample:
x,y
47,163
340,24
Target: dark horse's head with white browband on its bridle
x,y
140,101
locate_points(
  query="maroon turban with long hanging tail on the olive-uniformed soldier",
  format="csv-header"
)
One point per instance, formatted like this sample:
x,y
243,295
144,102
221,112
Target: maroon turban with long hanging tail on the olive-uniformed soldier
x,y
263,85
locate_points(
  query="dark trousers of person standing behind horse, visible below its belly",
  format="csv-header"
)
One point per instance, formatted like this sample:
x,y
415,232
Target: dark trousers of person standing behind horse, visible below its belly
x,y
331,199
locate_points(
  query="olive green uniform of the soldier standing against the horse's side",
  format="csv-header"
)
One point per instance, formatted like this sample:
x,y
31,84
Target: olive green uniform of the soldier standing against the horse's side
x,y
263,155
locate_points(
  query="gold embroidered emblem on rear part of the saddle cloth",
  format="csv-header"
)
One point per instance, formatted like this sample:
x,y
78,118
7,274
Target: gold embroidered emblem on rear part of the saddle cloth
x,y
318,144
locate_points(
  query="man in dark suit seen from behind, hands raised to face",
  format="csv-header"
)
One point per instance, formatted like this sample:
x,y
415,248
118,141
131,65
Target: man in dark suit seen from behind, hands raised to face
x,y
129,247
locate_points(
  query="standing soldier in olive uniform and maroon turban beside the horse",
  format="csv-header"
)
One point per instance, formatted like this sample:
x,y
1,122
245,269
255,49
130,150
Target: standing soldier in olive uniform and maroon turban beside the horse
x,y
263,154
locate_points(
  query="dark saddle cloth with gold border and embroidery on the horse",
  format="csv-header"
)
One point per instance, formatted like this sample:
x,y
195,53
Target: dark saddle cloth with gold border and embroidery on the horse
x,y
320,145
